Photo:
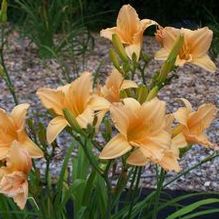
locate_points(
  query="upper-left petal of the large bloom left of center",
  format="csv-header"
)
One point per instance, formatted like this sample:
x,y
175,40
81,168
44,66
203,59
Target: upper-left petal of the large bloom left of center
x,y
52,99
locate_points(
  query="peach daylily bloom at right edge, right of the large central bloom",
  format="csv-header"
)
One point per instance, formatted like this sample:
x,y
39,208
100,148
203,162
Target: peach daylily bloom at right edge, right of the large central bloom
x,y
194,123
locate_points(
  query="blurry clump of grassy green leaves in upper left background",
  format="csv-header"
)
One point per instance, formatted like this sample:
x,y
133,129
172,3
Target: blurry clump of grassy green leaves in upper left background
x,y
44,19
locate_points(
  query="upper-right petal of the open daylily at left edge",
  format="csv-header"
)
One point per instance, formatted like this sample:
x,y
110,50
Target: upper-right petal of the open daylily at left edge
x,y
19,114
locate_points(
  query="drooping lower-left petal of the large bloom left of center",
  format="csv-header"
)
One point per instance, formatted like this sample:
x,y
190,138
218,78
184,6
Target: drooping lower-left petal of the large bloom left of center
x,y
55,126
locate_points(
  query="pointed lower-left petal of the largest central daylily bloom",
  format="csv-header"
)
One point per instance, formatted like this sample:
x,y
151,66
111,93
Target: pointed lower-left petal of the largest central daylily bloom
x,y
116,147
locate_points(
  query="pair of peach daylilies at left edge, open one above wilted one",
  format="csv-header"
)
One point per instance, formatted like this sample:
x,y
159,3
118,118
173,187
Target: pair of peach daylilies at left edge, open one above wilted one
x,y
16,151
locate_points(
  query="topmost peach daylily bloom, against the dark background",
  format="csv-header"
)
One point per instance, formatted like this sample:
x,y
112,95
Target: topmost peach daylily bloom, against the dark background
x,y
129,28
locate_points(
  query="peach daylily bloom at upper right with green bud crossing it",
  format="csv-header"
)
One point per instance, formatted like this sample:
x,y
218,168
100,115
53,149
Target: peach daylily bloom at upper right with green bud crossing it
x,y
194,50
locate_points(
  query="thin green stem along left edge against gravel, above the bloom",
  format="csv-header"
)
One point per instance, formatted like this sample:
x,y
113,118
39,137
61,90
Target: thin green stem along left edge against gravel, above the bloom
x,y
7,78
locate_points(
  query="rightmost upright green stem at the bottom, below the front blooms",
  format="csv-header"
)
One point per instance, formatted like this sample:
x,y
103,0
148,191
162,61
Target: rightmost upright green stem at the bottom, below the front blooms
x,y
160,180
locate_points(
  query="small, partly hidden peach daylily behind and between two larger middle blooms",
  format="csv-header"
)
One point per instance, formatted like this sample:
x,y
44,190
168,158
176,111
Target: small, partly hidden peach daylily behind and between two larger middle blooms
x,y
114,84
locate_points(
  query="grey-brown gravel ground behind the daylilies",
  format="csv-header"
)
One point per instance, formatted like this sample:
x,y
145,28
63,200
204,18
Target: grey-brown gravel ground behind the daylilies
x,y
29,73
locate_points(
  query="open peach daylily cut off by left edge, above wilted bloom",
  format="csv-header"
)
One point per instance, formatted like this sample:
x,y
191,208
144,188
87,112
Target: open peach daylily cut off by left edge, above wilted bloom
x,y
12,127
